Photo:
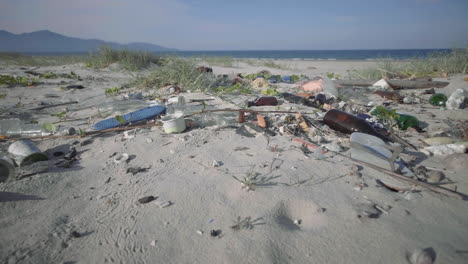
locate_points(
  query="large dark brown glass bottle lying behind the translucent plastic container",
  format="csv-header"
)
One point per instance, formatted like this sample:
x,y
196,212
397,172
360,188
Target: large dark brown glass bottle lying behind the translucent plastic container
x,y
347,123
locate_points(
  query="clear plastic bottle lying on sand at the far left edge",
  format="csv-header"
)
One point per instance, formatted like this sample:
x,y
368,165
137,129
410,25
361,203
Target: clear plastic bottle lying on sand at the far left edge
x,y
16,128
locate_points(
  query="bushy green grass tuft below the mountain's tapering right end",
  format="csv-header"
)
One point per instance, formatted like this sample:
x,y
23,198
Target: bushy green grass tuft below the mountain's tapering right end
x,y
129,60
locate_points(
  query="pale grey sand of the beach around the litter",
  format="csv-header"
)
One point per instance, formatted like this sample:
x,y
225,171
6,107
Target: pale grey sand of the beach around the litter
x,y
304,210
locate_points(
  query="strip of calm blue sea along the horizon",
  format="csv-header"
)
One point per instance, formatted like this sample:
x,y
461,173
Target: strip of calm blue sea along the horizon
x,y
305,54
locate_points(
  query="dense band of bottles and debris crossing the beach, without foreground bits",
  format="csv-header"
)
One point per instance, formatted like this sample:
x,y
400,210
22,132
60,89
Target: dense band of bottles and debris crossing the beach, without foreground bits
x,y
323,115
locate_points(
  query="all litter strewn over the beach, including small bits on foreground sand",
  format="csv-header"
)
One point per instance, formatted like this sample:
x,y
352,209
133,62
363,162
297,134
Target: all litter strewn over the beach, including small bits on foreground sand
x,y
363,121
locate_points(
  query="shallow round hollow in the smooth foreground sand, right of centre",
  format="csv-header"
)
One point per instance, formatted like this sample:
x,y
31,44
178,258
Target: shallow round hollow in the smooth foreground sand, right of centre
x,y
298,215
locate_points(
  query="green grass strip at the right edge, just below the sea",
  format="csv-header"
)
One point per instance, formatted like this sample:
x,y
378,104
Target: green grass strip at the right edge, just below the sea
x,y
439,64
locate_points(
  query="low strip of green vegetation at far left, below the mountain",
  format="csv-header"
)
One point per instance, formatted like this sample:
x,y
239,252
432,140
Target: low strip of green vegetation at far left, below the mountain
x,y
8,58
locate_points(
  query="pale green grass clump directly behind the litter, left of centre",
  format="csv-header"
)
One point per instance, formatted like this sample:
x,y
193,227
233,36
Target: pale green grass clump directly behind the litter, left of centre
x,y
178,71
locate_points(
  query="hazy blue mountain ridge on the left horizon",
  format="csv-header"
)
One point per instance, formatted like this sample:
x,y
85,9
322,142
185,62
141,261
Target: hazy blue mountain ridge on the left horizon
x,y
47,41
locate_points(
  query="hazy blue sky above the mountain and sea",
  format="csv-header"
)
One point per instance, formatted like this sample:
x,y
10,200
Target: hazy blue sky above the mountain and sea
x,y
249,24
